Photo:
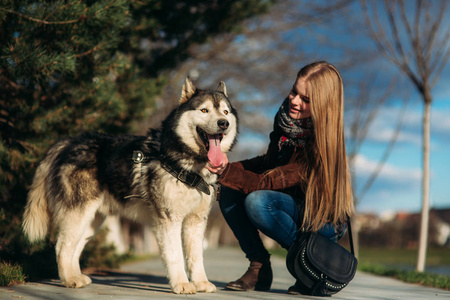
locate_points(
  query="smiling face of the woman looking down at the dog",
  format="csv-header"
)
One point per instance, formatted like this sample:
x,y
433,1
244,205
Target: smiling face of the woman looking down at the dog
x,y
299,106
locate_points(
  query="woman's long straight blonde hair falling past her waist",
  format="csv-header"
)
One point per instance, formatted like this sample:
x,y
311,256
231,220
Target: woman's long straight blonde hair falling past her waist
x,y
329,195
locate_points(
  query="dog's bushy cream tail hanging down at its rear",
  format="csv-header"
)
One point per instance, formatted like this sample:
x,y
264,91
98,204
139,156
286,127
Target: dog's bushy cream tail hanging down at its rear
x,y
36,218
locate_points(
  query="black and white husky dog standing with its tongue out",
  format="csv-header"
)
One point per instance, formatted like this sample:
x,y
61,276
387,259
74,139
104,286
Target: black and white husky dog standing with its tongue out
x,y
159,179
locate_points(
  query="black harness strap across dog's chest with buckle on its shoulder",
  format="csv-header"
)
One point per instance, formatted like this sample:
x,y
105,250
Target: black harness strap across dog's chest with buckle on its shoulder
x,y
189,178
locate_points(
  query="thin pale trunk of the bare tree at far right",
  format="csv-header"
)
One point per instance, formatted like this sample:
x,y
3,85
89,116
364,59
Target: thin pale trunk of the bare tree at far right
x,y
423,239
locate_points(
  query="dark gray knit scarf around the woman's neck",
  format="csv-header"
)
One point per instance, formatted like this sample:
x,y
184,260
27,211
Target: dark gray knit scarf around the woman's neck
x,y
293,132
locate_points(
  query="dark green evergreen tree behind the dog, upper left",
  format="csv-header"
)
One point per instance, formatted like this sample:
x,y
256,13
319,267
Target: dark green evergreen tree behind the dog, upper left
x,y
72,66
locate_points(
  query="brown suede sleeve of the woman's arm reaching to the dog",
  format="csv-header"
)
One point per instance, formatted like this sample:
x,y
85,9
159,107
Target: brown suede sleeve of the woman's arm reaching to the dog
x,y
235,176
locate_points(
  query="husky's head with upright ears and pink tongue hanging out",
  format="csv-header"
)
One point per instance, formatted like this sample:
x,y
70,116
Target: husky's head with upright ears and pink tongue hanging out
x,y
205,122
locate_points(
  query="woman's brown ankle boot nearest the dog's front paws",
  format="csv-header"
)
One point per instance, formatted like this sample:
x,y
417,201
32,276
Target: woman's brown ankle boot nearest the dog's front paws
x,y
258,277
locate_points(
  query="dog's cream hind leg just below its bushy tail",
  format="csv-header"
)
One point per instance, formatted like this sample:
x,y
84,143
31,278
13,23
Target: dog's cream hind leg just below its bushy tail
x,y
72,234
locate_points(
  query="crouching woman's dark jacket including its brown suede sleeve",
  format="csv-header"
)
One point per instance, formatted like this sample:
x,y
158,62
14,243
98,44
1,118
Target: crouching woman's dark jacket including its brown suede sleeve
x,y
276,170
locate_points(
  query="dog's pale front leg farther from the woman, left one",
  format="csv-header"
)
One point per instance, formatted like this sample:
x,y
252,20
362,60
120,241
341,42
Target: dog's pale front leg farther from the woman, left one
x,y
168,235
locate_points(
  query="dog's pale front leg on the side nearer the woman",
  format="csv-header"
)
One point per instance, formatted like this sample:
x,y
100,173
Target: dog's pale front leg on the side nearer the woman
x,y
193,234
